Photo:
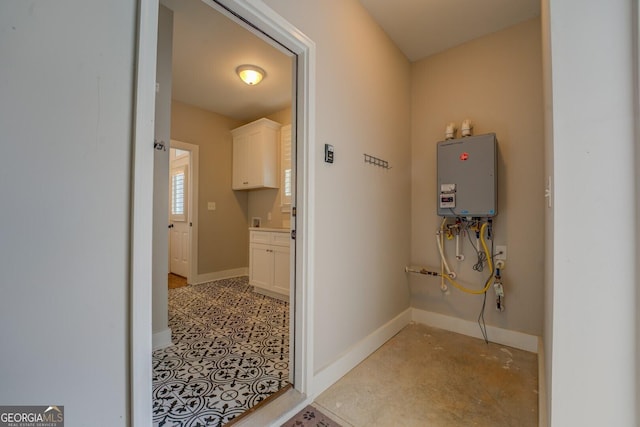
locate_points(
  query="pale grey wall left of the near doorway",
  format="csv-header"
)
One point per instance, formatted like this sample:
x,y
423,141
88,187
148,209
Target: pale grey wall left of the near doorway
x,y
66,118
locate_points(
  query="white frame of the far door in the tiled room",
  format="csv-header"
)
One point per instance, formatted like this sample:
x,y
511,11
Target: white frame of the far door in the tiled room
x,y
192,202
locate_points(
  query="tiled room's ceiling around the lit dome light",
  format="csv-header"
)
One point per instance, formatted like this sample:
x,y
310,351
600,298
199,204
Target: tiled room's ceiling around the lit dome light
x,y
207,48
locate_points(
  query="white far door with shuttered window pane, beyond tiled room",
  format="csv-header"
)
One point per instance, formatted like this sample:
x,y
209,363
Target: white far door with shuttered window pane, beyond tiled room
x,y
179,227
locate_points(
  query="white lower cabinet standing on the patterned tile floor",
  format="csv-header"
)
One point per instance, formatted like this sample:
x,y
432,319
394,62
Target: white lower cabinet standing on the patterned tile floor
x,y
269,261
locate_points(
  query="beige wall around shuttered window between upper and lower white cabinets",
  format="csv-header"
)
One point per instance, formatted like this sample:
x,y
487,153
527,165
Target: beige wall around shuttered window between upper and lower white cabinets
x,y
263,202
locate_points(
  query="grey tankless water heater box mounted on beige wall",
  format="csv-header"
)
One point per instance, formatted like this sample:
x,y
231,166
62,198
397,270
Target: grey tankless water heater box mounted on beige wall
x,y
467,177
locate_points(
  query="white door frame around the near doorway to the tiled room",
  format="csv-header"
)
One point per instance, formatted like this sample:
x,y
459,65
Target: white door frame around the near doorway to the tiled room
x,y
264,22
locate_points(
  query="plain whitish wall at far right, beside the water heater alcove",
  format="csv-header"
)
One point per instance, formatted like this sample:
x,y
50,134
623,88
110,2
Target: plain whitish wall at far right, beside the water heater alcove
x,y
595,274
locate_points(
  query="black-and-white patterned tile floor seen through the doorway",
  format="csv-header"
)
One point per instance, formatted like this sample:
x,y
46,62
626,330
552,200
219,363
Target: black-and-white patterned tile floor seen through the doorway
x,y
230,352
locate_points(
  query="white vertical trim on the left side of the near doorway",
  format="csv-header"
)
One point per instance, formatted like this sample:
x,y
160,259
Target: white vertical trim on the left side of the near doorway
x,y
140,342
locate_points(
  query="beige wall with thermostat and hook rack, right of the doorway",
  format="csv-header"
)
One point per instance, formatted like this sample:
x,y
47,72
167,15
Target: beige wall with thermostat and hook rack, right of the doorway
x,y
361,213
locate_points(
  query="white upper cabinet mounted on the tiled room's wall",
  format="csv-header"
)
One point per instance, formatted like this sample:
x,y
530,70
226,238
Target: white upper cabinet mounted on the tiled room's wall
x,y
255,155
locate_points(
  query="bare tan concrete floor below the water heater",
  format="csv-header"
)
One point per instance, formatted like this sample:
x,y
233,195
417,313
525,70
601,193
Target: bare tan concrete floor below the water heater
x,y
430,377
